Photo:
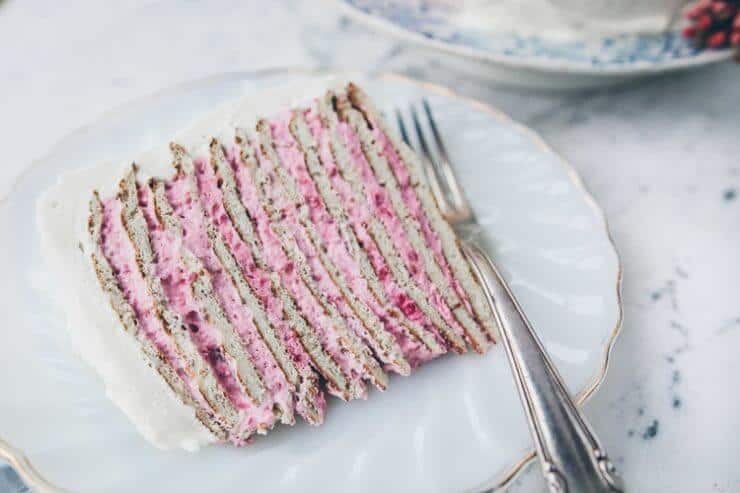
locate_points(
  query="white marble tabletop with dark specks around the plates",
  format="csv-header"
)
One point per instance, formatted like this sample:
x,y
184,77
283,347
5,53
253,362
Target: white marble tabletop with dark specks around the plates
x,y
661,156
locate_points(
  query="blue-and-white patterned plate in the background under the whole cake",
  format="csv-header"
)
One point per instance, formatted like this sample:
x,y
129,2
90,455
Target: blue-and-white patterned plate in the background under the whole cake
x,y
530,61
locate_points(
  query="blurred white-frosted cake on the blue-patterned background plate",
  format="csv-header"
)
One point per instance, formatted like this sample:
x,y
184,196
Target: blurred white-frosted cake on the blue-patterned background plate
x,y
569,19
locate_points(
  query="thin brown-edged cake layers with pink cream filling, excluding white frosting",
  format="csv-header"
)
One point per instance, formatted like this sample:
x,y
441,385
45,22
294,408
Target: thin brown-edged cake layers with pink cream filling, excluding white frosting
x,y
305,256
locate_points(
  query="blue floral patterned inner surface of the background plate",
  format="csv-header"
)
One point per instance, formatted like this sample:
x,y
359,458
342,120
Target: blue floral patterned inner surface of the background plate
x,y
432,20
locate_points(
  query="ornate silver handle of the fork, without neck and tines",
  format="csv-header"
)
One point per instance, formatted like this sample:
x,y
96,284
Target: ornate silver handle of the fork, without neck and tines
x,y
571,457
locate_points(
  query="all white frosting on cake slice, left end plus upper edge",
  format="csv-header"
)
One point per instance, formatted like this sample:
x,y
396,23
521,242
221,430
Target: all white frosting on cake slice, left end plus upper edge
x,y
95,330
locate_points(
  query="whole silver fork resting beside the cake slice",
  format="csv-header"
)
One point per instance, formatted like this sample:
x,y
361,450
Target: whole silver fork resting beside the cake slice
x,y
571,457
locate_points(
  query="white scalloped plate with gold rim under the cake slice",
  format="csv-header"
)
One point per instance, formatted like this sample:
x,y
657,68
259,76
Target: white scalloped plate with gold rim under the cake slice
x,y
455,425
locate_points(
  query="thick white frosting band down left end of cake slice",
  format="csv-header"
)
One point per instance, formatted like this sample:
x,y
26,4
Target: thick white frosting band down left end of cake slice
x,y
93,326
